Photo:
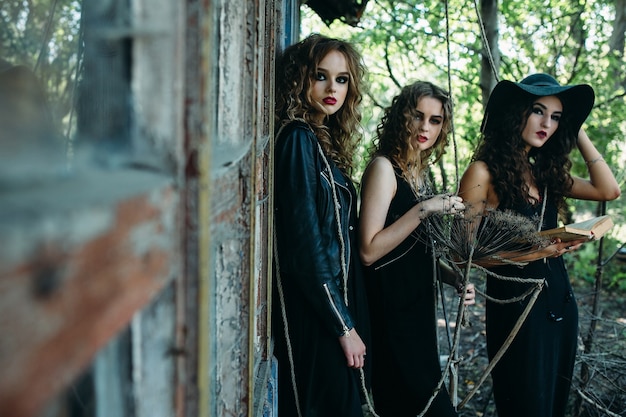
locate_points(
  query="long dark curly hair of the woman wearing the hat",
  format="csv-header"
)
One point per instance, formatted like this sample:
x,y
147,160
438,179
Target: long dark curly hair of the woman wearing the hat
x,y
502,148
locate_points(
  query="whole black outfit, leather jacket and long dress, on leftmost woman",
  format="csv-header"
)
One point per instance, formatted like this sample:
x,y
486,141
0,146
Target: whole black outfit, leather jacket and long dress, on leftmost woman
x,y
309,252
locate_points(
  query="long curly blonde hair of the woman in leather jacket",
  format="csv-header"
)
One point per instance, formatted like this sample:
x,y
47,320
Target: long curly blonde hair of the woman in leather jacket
x,y
296,68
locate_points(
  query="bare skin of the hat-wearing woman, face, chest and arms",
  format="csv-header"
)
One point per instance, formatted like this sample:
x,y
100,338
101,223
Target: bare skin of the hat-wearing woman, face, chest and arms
x,y
479,194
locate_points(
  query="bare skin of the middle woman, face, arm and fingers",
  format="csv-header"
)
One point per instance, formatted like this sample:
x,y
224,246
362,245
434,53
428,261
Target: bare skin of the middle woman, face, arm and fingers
x,y
379,187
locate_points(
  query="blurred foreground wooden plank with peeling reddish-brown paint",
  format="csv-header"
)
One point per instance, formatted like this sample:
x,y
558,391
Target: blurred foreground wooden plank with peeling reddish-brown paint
x,y
65,302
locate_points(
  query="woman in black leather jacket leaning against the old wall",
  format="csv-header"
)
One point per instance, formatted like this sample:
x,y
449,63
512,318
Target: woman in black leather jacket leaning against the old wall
x,y
321,322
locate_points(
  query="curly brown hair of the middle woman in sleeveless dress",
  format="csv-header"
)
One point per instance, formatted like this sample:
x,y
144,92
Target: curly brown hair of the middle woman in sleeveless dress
x,y
395,129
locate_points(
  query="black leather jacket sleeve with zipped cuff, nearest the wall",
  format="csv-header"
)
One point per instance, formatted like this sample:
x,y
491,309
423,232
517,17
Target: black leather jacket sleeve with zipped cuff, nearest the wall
x,y
302,253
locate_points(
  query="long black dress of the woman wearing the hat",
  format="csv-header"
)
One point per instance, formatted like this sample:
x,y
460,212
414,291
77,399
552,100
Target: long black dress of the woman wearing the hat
x,y
533,378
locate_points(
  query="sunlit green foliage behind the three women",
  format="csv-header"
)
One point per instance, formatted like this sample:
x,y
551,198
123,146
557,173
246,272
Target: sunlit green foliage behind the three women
x,y
407,40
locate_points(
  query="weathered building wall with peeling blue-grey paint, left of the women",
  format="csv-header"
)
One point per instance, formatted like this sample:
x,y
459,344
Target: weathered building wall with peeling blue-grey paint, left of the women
x,y
134,281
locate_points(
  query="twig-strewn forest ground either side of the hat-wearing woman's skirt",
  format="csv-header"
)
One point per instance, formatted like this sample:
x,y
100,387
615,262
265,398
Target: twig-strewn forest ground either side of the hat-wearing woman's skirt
x,y
605,394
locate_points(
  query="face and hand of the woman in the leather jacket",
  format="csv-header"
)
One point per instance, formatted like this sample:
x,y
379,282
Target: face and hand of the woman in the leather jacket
x,y
328,91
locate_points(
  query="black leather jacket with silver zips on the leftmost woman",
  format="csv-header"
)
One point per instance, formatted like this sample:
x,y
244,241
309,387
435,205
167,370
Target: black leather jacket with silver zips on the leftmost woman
x,y
308,241
